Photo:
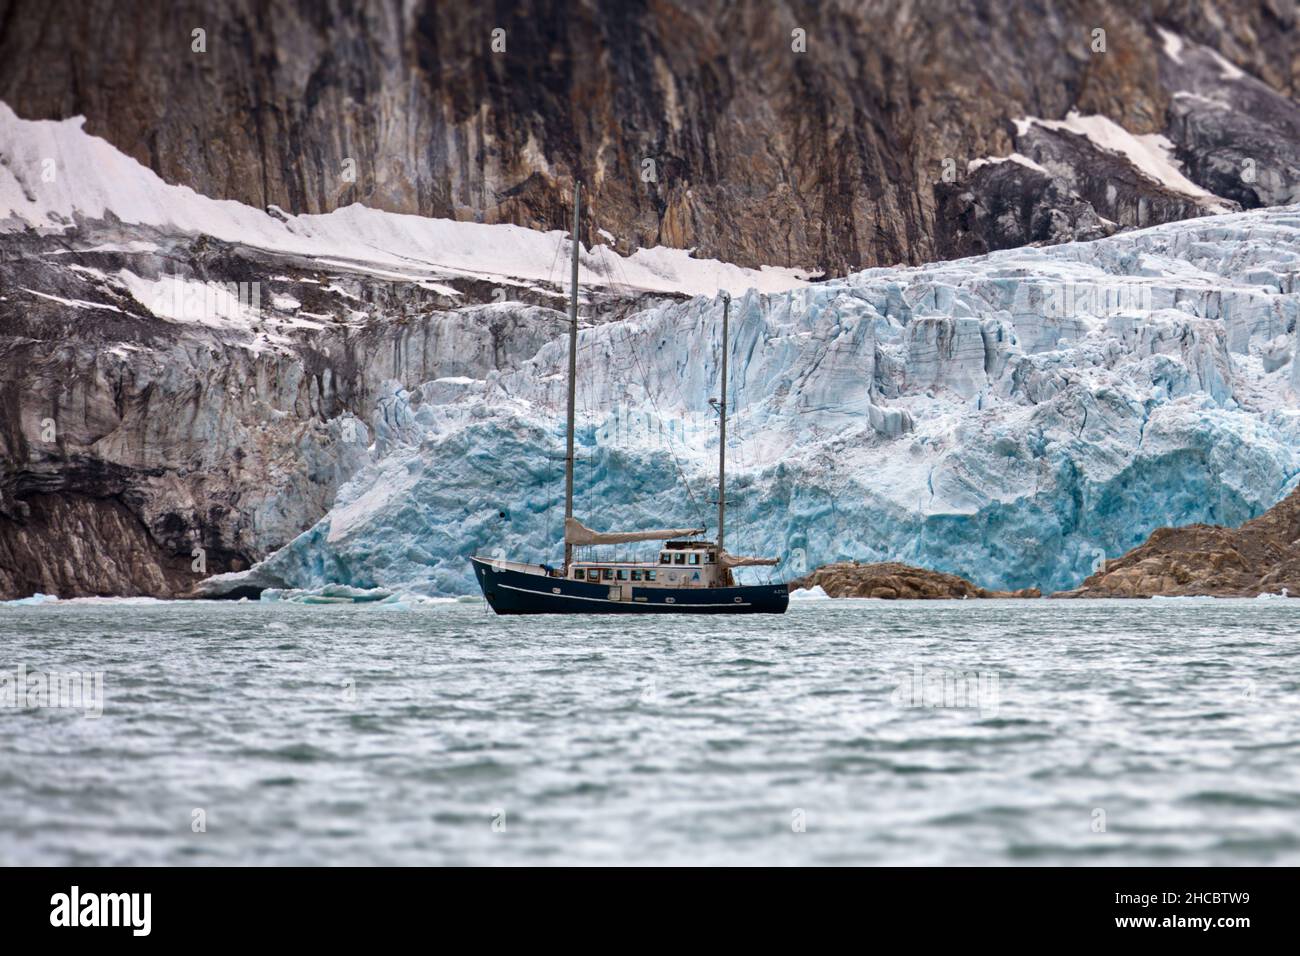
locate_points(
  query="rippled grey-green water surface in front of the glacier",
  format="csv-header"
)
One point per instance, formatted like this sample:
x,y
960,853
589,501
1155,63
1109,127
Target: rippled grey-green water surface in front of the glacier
x,y
441,734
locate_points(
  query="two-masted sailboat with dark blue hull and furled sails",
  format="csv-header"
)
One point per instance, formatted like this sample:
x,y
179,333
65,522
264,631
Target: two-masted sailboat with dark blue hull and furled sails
x,y
687,577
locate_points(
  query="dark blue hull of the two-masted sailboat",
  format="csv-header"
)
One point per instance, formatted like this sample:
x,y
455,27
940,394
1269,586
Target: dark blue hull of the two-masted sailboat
x,y
521,592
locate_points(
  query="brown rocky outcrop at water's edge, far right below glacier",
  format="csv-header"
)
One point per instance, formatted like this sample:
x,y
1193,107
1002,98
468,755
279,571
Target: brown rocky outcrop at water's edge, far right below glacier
x,y
1262,557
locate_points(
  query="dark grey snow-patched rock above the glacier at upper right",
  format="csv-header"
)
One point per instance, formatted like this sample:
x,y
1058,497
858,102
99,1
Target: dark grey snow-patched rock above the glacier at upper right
x,y
1236,137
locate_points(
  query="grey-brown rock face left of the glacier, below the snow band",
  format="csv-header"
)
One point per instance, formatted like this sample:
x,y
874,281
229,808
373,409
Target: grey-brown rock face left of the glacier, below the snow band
x,y
133,447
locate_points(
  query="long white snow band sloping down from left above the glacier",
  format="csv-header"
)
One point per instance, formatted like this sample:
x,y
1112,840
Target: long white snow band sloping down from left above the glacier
x,y
54,174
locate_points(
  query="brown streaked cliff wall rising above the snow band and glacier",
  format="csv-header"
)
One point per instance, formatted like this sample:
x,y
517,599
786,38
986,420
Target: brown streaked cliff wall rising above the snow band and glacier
x,y
695,126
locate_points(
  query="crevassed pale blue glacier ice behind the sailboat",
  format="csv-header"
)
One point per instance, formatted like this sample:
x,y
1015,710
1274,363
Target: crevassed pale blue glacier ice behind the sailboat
x,y
1016,419
